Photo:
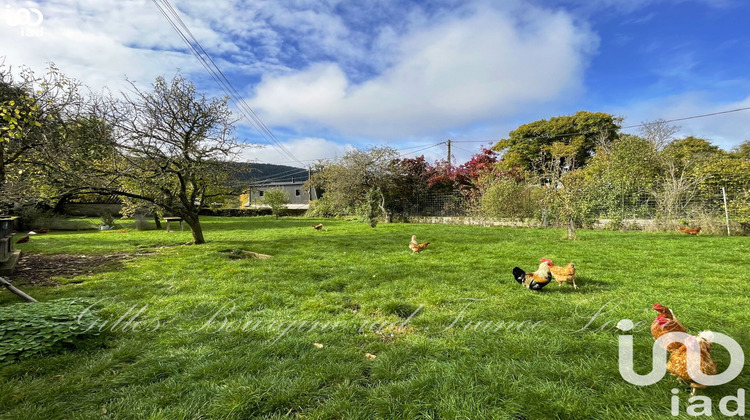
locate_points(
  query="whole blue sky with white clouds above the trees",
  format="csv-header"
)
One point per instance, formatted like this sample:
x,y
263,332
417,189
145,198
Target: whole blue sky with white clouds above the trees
x,y
326,76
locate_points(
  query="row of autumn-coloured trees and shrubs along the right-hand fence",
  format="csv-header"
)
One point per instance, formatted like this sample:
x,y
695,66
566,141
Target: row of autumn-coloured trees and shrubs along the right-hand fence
x,y
565,171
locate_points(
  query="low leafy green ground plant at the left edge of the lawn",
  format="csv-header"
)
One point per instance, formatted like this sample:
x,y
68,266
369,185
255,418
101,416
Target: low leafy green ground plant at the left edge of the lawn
x,y
29,329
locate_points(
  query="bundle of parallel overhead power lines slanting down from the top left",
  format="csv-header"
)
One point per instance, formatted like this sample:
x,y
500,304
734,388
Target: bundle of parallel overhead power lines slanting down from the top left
x,y
213,69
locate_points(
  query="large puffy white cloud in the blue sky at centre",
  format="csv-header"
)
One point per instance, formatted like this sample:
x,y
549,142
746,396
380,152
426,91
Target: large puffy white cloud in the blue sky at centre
x,y
464,69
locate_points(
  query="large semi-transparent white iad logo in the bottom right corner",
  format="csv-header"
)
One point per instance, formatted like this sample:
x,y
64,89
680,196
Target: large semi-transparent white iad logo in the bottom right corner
x,y
693,355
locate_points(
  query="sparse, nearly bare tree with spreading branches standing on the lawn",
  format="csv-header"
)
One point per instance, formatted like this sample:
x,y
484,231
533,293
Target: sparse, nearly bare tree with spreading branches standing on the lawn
x,y
168,147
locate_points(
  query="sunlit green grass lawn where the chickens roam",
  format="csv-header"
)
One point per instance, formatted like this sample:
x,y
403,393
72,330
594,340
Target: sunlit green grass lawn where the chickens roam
x,y
217,337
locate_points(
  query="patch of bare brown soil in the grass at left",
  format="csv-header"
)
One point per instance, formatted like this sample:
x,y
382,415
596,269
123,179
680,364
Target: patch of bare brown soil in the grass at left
x,y
39,270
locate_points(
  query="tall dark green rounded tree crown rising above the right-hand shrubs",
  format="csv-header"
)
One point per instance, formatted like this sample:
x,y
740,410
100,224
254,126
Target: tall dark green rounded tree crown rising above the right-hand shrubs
x,y
574,136
